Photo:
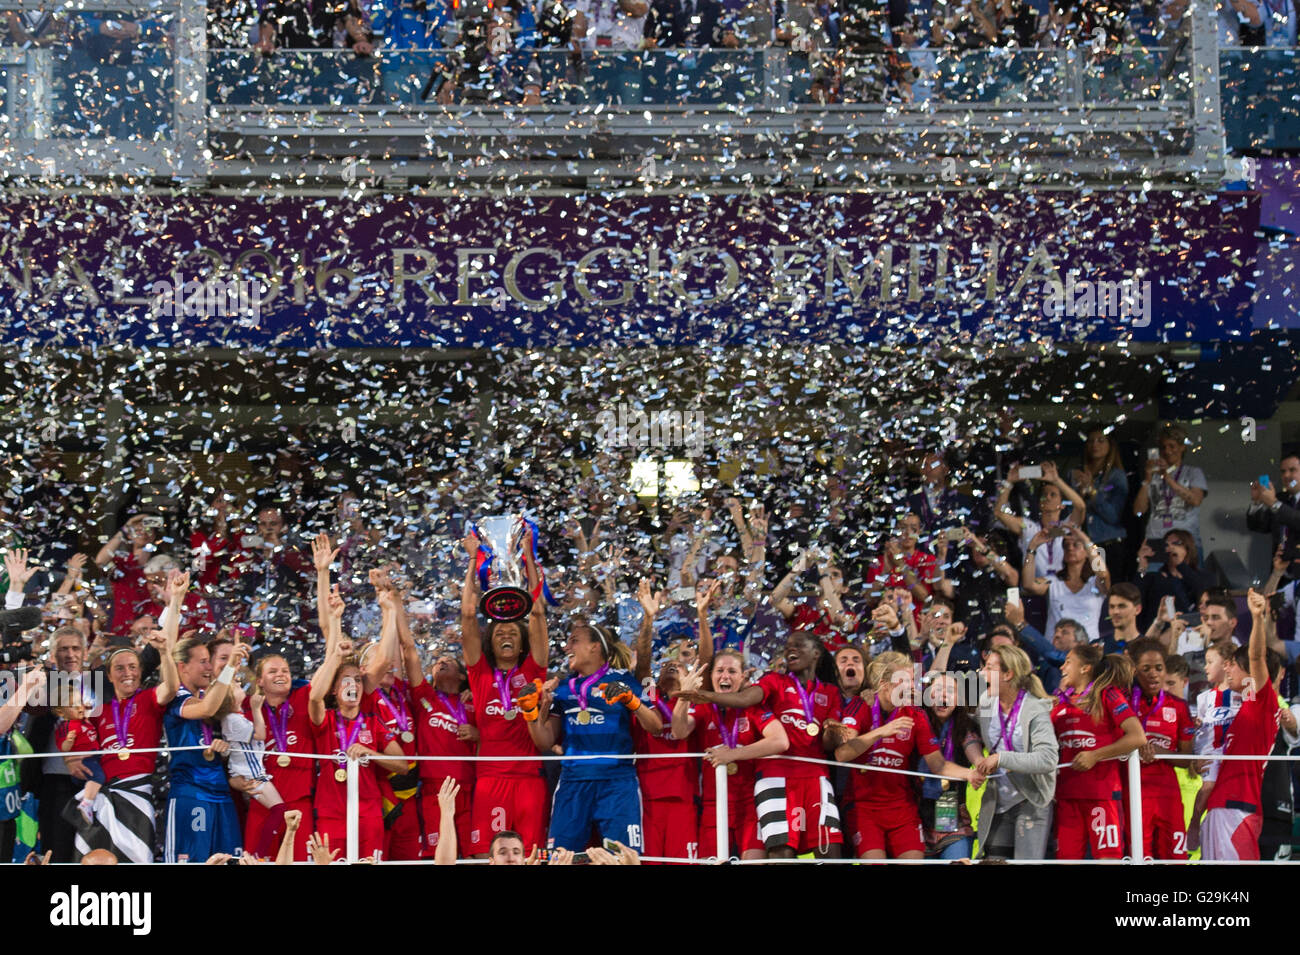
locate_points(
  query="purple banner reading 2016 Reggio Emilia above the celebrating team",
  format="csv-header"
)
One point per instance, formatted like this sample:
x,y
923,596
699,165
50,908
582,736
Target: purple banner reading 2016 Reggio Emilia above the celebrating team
x,y
579,272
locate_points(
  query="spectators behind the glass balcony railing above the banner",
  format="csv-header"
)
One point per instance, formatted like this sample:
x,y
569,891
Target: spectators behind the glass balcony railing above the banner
x,y
534,51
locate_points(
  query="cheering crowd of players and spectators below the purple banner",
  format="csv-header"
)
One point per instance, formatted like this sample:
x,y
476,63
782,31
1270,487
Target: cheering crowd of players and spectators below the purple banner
x,y
1090,643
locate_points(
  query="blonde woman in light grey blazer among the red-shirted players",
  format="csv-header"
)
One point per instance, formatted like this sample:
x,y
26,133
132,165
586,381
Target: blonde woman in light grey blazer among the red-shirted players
x,y
1021,767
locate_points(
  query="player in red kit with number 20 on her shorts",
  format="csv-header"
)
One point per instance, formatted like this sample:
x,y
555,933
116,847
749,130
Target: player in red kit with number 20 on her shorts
x,y
1095,723
